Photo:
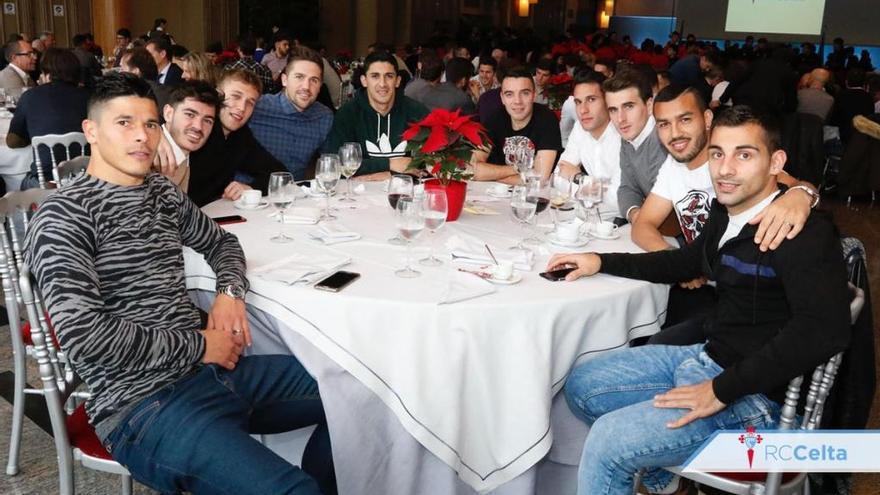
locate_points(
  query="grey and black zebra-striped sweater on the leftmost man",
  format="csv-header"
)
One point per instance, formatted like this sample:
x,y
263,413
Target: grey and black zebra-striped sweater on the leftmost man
x,y
109,263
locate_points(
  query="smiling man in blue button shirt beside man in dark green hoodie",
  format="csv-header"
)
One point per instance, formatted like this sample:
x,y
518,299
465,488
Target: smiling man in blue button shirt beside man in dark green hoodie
x,y
292,125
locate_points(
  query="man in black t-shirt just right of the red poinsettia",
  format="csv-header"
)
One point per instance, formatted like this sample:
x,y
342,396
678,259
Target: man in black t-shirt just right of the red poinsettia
x,y
519,126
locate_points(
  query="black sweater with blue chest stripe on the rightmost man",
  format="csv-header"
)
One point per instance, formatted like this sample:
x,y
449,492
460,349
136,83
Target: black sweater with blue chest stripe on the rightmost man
x,y
779,313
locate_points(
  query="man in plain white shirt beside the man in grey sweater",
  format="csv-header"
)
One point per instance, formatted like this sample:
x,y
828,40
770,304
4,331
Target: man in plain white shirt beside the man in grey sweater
x,y
594,144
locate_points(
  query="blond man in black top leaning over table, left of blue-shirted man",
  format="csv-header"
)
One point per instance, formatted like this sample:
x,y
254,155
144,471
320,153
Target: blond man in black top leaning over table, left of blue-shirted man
x,y
231,147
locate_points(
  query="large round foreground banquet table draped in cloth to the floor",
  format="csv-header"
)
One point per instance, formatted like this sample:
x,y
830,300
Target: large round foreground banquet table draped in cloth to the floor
x,y
424,396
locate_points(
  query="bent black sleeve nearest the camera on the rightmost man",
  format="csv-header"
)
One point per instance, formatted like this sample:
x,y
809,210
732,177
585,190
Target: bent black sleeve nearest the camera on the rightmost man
x,y
813,274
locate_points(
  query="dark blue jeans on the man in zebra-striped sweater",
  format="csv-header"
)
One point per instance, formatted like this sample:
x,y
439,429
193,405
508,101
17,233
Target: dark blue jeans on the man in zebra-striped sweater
x,y
194,434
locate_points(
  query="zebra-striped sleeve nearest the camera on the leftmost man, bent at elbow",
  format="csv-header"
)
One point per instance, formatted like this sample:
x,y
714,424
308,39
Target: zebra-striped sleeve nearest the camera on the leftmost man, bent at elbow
x,y
61,249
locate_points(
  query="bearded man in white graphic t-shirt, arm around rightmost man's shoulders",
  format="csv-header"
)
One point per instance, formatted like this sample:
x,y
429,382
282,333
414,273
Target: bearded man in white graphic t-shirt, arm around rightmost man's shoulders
x,y
684,186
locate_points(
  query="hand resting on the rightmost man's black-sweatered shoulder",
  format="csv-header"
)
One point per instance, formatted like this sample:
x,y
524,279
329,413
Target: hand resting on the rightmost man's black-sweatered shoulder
x,y
782,219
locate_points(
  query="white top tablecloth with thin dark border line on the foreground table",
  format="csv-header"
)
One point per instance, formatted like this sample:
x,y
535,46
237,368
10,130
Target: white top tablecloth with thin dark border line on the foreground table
x,y
472,382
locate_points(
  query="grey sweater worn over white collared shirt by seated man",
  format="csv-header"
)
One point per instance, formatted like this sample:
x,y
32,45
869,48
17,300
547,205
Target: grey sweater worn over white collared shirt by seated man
x,y
638,171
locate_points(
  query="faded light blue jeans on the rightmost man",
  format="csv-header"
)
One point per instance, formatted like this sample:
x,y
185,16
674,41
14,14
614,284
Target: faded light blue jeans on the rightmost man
x,y
613,393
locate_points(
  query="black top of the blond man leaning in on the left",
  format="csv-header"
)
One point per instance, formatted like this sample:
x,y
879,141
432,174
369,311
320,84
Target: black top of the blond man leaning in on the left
x,y
214,165
